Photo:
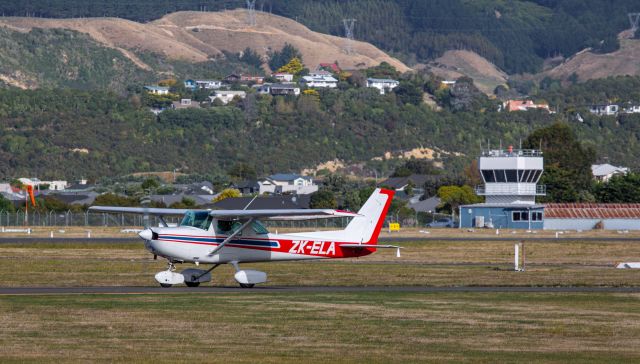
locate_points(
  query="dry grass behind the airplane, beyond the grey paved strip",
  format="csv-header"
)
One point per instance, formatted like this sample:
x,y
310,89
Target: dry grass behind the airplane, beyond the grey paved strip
x,y
431,263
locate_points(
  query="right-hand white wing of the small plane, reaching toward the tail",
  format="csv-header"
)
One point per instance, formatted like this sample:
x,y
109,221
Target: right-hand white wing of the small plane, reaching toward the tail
x,y
275,214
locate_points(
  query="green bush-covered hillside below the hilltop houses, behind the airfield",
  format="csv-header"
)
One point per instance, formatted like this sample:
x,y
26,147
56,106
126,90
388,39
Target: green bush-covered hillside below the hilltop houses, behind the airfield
x,y
71,134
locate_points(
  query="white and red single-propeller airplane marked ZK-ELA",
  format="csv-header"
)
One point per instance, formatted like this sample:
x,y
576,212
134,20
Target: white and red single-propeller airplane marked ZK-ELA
x,y
237,236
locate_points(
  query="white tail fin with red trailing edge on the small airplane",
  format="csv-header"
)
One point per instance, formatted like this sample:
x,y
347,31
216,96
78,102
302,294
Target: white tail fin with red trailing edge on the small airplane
x,y
366,228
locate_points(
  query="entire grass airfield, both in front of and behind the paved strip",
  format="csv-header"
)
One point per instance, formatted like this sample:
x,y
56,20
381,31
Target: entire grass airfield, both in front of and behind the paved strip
x,y
267,326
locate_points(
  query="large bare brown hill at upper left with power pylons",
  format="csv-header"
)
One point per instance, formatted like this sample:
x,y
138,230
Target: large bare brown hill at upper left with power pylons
x,y
200,36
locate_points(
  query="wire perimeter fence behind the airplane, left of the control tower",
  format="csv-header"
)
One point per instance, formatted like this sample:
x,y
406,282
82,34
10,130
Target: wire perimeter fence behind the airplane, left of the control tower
x,y
74,218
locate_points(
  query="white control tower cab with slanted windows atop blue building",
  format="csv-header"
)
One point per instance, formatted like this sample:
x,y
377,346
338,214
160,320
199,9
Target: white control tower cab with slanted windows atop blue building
x,y
511,176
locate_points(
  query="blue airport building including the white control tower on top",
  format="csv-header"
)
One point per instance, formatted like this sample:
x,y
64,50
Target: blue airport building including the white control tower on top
x,y
510,189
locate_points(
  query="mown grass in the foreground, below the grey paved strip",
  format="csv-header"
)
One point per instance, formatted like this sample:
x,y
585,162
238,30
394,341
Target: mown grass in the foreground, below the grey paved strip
x,y
321,327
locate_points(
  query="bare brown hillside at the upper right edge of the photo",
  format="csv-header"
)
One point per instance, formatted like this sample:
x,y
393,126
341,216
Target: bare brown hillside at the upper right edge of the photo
x,y
588,65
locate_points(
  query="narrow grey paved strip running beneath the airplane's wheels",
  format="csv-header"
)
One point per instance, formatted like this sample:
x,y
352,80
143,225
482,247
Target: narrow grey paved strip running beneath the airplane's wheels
x,y
306,289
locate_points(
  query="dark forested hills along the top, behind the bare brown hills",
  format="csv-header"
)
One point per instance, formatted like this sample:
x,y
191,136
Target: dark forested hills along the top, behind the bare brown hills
x,y
515,35
